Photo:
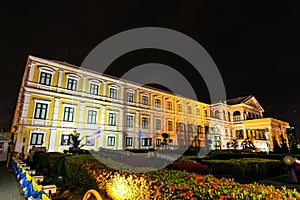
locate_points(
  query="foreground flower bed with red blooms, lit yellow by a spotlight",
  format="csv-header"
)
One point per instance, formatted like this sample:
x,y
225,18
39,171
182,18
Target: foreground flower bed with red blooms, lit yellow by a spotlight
x,y
84,171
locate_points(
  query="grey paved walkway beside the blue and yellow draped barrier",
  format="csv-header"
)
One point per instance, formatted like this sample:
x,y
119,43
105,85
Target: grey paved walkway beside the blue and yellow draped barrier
x,y
9,187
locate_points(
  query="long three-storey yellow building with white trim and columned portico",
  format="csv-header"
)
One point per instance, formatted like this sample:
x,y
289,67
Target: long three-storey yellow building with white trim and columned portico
x,y
57,98
